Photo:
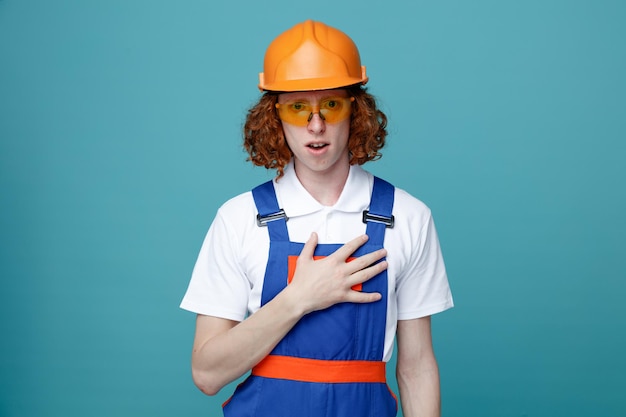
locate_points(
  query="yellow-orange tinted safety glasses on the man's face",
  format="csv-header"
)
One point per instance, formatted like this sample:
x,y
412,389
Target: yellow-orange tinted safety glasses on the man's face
x,y
300,112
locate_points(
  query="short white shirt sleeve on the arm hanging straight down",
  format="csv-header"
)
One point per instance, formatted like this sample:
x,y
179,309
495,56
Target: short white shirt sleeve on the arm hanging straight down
x,y
422,289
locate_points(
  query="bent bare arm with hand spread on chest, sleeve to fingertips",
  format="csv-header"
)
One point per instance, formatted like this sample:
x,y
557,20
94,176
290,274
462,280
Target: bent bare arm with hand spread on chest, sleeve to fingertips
x,y
225,350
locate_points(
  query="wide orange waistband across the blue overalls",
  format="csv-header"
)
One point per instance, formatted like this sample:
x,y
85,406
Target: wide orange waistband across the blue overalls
x,y
317,370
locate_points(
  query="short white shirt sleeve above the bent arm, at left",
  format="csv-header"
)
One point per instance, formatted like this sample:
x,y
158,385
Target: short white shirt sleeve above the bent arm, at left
x,y
218,285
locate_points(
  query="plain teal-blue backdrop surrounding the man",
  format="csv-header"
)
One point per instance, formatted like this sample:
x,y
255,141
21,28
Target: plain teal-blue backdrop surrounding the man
x,y
120,136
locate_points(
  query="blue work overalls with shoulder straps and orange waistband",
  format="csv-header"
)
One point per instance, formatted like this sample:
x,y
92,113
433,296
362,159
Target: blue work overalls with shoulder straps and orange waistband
x,y
331,363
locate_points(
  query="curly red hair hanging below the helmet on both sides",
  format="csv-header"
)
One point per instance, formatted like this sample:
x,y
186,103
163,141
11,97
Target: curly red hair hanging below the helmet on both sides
x,y
265,142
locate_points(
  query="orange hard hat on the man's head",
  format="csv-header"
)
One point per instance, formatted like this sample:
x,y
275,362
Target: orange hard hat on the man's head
x,y
311,56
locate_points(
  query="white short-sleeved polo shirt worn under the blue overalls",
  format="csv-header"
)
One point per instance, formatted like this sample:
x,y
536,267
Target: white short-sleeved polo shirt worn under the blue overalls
x,y
227,279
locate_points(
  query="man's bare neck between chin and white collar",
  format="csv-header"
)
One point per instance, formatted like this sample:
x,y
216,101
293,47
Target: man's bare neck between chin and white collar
x,y
325,187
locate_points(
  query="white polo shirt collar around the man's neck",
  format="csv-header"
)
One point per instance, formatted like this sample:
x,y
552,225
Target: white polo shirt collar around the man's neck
x,y
296,201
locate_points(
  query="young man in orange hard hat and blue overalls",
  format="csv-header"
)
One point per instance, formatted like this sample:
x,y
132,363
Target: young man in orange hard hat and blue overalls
x,y
277,289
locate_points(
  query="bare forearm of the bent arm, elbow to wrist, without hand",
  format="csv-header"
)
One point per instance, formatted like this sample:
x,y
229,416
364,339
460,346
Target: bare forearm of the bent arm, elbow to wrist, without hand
x,y
228,355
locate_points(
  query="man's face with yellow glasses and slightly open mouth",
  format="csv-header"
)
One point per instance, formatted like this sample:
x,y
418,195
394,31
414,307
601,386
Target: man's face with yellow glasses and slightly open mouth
x,y
317,131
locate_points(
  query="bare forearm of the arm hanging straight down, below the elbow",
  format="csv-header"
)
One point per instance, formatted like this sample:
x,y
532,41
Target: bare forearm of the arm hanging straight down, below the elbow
x,y
419,391
